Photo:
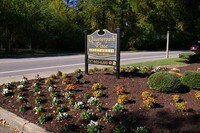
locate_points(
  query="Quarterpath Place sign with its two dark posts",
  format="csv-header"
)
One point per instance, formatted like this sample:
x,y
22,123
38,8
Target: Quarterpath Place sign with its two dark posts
x,y
101,46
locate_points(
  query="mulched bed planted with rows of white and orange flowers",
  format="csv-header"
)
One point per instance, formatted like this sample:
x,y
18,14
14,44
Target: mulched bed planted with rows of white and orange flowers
x,y
68,104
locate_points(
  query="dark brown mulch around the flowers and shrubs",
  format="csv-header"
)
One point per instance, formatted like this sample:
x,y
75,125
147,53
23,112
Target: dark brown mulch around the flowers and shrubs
x,y
163,118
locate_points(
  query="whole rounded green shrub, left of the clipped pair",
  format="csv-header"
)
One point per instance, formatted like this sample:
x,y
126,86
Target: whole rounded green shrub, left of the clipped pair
x,y
164,82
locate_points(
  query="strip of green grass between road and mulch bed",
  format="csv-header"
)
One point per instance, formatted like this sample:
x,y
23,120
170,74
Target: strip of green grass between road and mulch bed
x,y
162,62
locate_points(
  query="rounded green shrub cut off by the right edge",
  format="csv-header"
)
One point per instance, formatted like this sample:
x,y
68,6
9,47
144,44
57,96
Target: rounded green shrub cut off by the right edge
x,y
191,79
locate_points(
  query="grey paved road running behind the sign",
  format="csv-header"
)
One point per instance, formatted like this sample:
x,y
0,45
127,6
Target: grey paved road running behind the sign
x,y
22,66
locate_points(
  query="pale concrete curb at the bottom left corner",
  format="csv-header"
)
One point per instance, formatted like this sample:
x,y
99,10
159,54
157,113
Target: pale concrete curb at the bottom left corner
x,y
22,125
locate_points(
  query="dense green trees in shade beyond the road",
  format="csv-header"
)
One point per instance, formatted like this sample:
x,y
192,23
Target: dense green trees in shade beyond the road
x,y
52,25
